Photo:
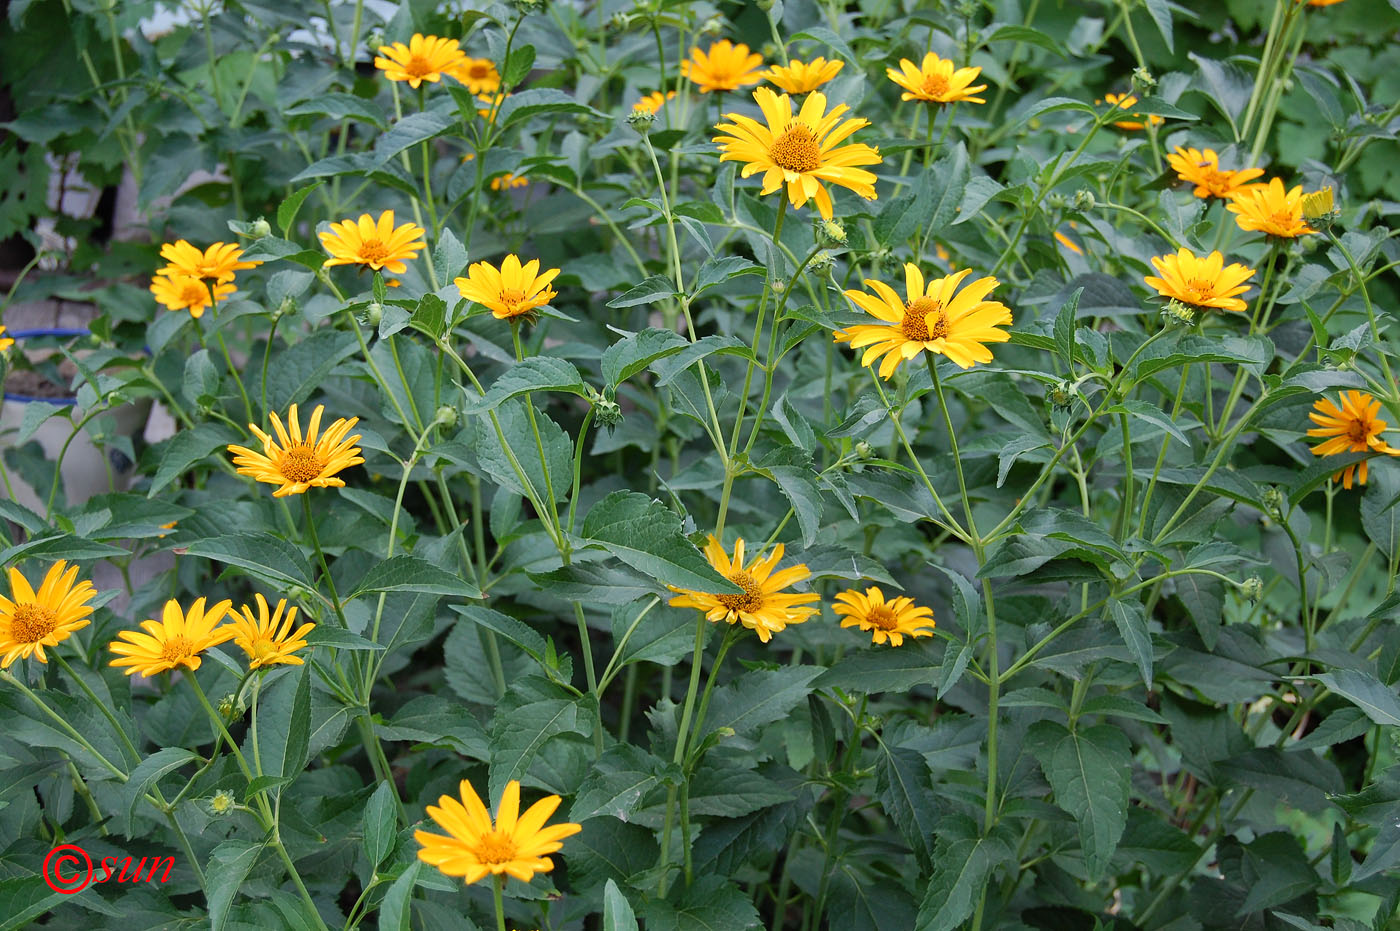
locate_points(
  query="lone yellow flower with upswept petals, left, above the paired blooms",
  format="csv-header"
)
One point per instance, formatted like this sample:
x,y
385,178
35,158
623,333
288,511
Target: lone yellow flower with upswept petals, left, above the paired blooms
x,y
295,463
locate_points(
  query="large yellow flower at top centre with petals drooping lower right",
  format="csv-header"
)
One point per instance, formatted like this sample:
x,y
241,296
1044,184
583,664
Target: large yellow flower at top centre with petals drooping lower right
x,y
800,152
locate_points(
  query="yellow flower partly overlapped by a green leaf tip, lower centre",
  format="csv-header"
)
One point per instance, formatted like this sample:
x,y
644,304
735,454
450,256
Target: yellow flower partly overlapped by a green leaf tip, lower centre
x,y
762,607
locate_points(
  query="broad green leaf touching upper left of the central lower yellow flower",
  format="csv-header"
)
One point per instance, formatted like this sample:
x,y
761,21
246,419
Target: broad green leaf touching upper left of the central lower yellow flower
x,y
646,534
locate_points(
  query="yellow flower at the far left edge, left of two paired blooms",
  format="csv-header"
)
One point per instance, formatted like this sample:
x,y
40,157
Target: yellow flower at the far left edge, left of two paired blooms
x,y
33,621
